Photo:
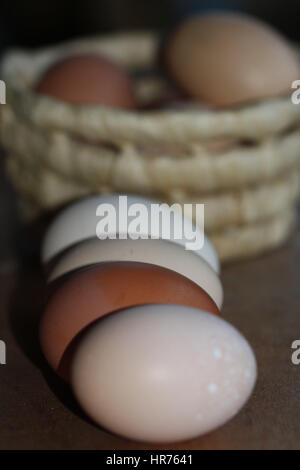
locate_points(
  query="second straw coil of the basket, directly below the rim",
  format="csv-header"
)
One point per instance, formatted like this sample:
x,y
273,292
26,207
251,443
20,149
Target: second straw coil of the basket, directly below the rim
x,y
130,168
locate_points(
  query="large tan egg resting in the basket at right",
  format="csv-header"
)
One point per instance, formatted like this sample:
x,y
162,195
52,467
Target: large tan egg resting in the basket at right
x,y
225,59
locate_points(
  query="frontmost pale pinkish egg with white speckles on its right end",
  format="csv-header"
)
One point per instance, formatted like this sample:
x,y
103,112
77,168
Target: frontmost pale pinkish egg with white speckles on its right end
x,y
162,373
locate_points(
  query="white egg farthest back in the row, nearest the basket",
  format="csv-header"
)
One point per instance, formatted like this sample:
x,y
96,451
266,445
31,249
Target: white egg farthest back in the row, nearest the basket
x,y
79,221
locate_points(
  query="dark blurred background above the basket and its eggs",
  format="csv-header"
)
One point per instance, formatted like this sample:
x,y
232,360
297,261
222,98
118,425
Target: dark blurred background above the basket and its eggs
x,y
34,23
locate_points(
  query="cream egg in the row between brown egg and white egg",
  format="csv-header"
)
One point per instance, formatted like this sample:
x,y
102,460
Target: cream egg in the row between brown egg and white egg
x,y
157,252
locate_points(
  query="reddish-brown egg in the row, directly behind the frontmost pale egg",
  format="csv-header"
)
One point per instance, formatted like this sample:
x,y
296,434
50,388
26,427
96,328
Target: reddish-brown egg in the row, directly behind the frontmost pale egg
x,y
104,288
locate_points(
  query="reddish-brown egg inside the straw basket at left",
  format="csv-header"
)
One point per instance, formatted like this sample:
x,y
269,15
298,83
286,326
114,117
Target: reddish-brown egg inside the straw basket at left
x,y
88,79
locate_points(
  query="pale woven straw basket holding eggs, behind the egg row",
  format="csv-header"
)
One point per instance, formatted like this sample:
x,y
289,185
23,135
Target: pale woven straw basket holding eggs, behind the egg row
x,y
242,163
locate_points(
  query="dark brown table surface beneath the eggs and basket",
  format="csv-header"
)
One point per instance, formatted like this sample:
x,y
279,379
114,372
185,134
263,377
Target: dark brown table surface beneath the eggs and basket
x,y
37,411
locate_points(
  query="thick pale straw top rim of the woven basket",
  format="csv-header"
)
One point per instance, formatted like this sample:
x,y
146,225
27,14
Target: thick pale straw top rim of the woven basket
x,y
253,120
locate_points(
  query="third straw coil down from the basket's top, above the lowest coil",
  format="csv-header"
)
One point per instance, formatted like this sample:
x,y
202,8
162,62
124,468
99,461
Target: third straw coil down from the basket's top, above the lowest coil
x,y
250,205
